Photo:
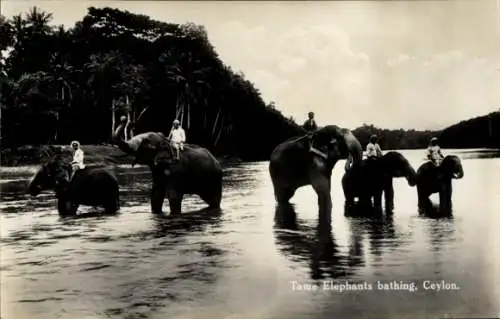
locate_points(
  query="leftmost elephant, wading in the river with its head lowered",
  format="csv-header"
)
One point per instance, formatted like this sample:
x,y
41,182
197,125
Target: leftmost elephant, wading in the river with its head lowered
x,y
91,186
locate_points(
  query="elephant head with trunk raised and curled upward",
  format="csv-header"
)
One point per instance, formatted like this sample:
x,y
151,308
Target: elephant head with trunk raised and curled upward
x,y
150,148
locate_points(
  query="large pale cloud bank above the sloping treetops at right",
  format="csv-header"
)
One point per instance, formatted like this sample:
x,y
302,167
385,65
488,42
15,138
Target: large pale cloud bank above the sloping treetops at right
x,y
315,67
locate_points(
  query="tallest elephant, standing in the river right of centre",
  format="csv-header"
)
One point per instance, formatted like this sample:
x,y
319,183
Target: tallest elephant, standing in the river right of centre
x,y
309,160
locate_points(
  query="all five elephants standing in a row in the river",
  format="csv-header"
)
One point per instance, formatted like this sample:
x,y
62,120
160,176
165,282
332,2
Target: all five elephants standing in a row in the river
x,y
304,160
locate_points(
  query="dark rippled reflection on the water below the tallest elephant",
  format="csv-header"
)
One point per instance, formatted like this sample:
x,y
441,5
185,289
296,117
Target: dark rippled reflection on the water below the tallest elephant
x,y
316,246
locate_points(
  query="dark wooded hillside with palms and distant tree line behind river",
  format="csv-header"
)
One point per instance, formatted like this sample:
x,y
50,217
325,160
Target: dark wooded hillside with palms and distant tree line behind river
x,y
59,84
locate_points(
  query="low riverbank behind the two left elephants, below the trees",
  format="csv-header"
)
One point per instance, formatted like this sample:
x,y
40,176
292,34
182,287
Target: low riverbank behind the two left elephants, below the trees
x,y
94,154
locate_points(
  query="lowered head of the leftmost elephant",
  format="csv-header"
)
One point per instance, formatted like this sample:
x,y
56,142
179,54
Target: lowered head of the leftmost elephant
x,y
54,174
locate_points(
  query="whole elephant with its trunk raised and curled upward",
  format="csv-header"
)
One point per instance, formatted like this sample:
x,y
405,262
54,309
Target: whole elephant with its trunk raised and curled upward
x,y
196,172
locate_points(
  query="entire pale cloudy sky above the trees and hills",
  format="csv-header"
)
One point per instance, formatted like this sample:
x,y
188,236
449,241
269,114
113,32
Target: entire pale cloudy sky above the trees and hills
x,y
418,64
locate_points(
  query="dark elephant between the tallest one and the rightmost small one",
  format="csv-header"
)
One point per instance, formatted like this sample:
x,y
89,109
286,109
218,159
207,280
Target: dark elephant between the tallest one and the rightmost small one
x,y
373,177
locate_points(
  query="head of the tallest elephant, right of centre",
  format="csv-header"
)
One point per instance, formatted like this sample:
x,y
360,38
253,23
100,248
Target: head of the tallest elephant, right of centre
x,y
333,143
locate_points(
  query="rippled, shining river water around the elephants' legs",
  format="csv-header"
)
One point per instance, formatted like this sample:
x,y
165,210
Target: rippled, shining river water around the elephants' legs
x,y
244,261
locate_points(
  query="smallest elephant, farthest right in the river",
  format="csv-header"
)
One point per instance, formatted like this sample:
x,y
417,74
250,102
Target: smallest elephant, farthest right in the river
x,y
433,179
